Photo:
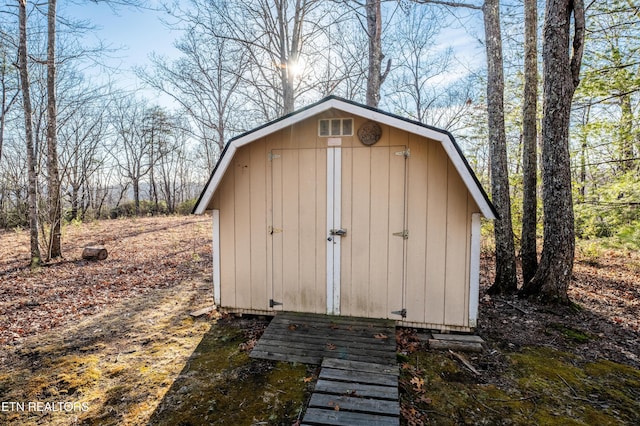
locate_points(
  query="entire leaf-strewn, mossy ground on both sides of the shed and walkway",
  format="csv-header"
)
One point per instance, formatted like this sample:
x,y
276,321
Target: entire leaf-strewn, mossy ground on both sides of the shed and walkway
x,y
112,342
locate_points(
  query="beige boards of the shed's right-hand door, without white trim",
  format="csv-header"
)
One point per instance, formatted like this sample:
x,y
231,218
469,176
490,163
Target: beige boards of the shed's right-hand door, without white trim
x,y
372,210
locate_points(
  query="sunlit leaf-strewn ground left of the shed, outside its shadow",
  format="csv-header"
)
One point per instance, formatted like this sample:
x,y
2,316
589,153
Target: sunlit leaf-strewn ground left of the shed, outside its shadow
x,y
109,337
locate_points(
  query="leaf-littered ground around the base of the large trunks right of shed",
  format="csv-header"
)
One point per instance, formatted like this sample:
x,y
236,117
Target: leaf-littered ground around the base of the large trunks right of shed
x,y
606,292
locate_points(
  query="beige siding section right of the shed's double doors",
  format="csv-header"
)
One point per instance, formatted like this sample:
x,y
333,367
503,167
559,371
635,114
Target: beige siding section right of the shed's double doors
x,y
439,206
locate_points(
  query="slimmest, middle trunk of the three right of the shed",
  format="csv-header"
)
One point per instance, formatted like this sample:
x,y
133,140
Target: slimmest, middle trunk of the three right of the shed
x,y
528,248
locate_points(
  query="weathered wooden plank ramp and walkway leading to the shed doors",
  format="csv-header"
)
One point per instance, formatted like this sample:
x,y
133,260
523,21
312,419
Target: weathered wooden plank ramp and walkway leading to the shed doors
x,y
358,380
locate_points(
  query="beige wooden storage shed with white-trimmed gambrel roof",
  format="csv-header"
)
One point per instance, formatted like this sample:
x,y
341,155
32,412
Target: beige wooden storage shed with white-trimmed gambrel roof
x,y
343,209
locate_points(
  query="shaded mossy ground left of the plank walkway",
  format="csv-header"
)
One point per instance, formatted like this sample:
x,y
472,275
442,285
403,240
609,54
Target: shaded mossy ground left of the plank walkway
x,y
222,385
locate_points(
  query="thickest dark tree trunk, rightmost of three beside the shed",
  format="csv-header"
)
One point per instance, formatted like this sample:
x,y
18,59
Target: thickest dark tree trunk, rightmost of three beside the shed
x,y
561,78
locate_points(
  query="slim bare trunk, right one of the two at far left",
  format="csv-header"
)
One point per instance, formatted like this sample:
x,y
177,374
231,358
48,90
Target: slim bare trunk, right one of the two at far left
x,y
55,209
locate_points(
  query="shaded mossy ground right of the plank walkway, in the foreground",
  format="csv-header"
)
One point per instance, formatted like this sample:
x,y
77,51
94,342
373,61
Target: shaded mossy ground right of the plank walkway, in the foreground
x,y
542,386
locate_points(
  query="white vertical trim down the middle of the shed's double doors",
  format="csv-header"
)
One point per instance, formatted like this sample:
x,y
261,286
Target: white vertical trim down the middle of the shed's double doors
x,y
334,214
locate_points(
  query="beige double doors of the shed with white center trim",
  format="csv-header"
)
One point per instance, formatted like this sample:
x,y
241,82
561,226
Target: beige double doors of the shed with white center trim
x,y
338,230
